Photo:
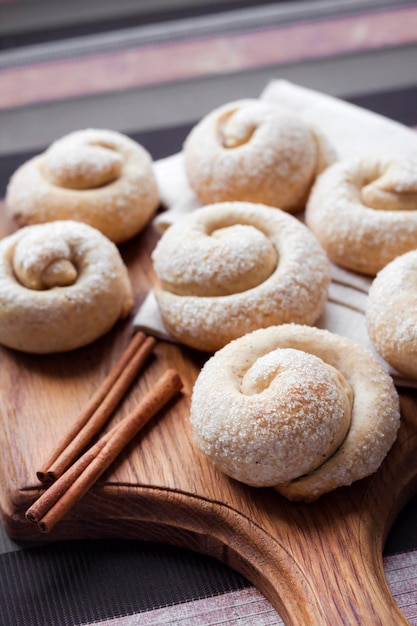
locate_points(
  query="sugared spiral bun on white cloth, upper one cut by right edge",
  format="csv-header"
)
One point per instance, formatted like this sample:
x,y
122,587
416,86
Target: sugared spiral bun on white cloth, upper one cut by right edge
x,y
364,211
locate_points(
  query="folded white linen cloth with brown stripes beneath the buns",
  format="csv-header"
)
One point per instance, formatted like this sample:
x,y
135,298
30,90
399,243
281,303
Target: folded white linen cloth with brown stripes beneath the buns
x,y
352,131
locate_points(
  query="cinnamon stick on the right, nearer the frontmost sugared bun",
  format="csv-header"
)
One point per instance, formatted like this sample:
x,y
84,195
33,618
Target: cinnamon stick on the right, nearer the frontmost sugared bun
x,y
62,495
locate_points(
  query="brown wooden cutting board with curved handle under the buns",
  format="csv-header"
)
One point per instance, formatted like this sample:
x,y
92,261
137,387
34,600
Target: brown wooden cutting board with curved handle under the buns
x,y
318,564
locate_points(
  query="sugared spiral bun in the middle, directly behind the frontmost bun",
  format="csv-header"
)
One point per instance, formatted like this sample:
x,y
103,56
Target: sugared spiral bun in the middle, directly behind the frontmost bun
x,y
229,268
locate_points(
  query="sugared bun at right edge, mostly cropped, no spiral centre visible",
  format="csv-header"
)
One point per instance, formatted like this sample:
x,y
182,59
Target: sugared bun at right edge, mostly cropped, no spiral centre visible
x,y
391,313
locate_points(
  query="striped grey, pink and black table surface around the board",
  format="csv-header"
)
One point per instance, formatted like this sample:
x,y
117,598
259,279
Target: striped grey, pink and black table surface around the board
x,y
152,74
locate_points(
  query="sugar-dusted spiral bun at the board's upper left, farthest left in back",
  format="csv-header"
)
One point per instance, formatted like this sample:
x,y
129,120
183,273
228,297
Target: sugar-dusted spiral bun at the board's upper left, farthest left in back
x,y
99,177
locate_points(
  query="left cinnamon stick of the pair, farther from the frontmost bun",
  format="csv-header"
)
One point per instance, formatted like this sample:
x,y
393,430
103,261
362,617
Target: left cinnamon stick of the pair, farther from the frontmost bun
x,y
100,407
